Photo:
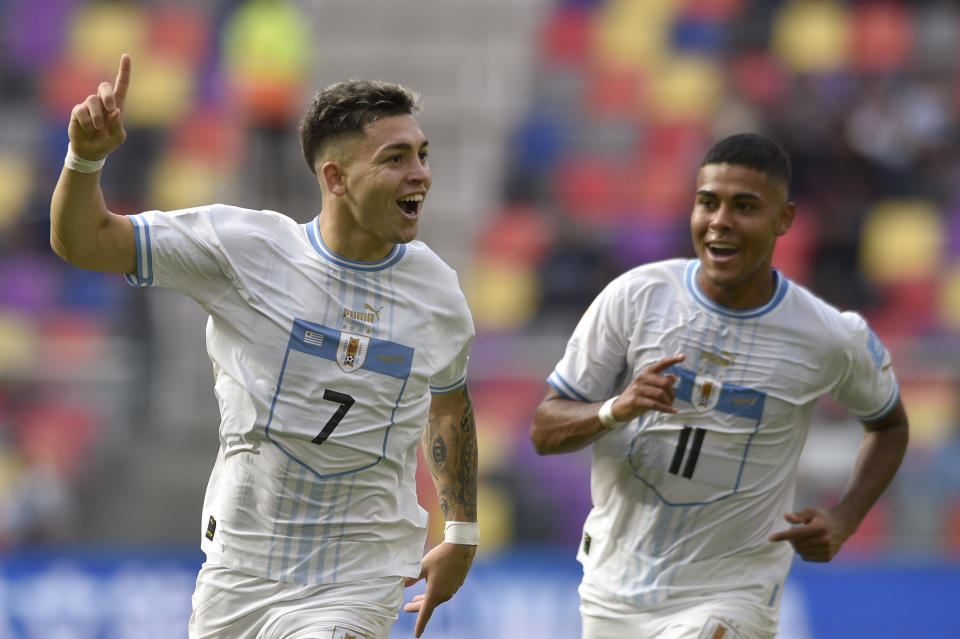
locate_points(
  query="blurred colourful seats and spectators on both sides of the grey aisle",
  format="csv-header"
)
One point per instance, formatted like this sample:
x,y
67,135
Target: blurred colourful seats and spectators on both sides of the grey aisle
x,y
624,98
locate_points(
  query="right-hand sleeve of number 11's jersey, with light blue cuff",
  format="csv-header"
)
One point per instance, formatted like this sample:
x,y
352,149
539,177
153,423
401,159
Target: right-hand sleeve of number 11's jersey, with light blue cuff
x,y
868,387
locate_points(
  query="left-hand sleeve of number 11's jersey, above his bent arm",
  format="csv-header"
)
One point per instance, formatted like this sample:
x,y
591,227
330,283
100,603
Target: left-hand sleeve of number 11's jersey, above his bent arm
x,y
595,356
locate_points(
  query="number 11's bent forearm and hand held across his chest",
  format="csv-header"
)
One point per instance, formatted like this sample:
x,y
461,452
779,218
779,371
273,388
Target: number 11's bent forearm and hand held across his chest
x,y
563,425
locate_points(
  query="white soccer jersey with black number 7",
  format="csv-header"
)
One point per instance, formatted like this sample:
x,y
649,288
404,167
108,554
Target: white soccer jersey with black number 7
x,y
324,369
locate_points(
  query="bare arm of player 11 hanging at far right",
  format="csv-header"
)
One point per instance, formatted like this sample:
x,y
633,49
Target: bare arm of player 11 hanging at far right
x,y
818,534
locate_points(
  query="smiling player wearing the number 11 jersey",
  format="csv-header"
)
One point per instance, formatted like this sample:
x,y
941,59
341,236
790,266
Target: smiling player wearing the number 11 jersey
x,y
694,381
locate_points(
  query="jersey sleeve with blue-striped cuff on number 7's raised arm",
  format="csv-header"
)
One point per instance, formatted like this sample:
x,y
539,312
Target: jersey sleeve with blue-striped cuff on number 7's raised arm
x,y
182,250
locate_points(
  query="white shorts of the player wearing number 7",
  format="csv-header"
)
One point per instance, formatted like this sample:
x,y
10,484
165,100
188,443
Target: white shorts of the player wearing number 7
x,y
228,604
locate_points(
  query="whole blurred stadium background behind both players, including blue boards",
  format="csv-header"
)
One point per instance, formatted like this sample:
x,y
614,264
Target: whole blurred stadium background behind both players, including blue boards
x,y
564,137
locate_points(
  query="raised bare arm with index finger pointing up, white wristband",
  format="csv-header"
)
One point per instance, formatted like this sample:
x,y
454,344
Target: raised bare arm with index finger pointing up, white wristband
x,y
82,230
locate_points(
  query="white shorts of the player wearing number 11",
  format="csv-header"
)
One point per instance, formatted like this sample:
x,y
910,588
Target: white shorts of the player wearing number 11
x,y
720,618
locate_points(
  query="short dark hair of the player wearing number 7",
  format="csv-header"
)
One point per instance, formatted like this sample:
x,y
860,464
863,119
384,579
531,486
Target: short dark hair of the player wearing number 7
x,y
346,108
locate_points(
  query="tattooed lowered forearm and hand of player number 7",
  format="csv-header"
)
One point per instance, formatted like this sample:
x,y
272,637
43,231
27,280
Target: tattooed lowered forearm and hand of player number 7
x,y
450,447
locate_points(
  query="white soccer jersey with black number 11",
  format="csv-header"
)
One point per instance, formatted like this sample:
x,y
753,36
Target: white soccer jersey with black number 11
x,y
683,504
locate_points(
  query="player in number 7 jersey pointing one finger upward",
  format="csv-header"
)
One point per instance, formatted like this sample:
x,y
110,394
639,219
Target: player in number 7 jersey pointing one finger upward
x,y
336,346
